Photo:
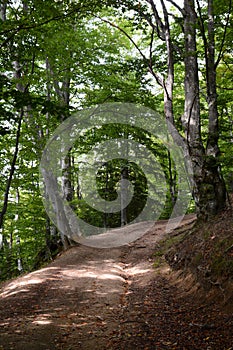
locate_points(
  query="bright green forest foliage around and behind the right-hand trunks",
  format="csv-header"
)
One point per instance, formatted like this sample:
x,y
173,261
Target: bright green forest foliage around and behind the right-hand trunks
x,y
57,57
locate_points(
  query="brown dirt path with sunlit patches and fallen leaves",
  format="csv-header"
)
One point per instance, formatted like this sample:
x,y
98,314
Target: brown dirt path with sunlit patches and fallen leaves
x,y
111,299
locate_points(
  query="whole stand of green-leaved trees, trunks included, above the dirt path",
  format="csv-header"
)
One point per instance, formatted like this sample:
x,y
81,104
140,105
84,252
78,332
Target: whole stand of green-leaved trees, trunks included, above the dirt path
x,y
61,56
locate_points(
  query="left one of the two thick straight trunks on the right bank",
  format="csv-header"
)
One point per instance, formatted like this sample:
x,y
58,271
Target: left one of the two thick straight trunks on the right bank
x,y
191,117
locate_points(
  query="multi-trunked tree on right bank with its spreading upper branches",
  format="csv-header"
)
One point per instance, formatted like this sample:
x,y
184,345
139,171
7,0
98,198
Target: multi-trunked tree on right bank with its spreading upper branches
x,y
197,21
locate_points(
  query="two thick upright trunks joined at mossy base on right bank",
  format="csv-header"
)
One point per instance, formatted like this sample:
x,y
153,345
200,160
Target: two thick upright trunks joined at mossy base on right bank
x,y
209,188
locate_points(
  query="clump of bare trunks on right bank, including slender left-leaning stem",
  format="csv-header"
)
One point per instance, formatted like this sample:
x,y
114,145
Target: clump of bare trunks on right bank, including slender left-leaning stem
x,y
208,185
